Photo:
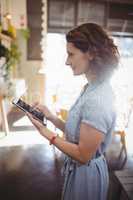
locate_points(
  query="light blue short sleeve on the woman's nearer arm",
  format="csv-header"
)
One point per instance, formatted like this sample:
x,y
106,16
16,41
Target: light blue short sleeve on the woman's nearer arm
x,y
97,115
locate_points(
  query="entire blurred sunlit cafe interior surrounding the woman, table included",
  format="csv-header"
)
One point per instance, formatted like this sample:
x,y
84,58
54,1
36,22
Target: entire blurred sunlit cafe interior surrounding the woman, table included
x,y
32,67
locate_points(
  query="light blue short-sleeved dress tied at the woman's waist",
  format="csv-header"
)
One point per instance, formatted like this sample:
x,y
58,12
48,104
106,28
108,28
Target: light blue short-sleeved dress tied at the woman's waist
x,y
95,107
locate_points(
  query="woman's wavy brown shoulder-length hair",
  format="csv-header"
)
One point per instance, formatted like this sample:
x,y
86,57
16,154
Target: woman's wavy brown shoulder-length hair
x,y
93,38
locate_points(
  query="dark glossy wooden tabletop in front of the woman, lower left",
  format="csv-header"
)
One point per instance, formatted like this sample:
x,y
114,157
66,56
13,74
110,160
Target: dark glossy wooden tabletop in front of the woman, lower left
x,y
30,172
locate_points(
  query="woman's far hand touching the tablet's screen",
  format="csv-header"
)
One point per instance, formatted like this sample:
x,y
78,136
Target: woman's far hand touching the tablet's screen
x,y
48,114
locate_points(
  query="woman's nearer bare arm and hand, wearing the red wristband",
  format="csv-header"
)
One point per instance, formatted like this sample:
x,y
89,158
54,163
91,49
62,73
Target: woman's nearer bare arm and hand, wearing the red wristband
x,y
90,139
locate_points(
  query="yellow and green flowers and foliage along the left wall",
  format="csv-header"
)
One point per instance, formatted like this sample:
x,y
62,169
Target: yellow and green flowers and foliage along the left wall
x,y
9,54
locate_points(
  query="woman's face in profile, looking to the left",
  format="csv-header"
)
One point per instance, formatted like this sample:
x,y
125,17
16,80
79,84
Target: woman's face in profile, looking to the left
x,y
78,60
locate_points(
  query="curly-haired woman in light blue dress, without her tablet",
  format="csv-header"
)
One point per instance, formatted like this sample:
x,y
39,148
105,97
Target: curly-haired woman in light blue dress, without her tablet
x,y
91,119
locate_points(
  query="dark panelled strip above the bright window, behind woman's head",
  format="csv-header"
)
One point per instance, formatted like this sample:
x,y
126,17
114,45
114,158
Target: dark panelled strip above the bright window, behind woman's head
x,y
114,15
